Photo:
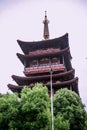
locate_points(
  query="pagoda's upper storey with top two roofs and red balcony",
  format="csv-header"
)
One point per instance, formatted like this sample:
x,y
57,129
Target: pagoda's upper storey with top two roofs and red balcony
x,y
41,56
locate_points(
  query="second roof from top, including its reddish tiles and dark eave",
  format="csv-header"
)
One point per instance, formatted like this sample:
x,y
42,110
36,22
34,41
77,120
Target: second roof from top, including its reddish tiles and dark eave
x,y
41,53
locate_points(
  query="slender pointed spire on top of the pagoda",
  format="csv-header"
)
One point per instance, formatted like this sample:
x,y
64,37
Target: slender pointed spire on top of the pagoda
x,y
46,28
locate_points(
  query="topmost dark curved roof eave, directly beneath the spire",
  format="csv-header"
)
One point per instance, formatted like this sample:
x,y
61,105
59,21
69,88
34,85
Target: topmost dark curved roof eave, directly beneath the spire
x,y
61,42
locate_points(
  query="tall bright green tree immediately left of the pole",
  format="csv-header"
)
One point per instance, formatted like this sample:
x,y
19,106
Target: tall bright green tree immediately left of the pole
x,y
36,108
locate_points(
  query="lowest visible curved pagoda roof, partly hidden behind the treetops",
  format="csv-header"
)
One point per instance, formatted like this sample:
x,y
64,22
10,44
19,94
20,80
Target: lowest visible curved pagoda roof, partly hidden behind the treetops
x,y
56,85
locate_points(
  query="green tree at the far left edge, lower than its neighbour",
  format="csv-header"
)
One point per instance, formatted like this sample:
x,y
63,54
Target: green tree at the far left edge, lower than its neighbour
x,y
8,110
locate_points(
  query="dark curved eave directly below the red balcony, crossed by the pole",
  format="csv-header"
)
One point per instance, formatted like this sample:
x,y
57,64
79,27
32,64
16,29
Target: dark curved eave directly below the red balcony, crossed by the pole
x,y
26,80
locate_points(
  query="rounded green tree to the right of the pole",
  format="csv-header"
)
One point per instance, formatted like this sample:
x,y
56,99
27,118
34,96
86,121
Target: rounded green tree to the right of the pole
x,y
69,104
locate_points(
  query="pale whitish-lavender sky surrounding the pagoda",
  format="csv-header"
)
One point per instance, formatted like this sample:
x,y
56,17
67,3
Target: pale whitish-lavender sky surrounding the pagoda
x,y
22,19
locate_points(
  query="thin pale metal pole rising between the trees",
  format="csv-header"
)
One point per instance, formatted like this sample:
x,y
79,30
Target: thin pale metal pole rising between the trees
x,y
51,92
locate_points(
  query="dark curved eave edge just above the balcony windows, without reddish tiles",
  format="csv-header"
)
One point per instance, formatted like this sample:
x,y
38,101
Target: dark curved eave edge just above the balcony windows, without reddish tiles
x,y
29,58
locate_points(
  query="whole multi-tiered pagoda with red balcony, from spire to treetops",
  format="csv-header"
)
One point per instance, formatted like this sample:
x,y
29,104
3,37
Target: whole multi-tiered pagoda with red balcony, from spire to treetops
x,y
39,57
